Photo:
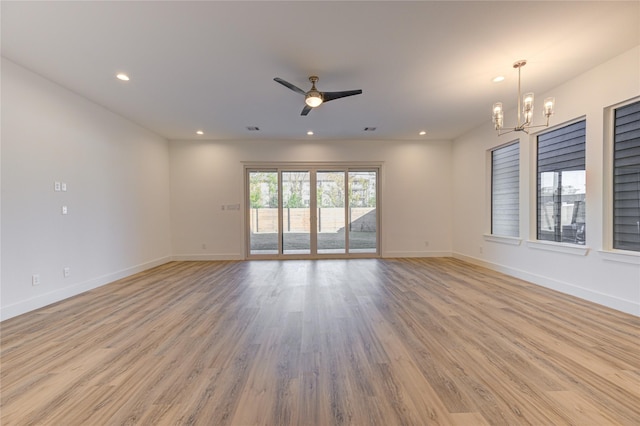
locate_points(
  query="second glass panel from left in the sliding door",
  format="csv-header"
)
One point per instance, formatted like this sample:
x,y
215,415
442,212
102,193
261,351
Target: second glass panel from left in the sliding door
x,y
296,212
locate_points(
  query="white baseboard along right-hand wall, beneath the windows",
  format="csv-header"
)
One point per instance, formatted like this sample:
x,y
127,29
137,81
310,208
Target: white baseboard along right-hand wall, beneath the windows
x,y
607,300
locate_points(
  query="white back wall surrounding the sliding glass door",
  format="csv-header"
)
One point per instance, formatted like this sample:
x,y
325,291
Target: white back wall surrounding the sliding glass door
x,y
415,199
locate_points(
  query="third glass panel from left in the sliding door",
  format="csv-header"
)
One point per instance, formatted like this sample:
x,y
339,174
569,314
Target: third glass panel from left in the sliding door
x,y
330,193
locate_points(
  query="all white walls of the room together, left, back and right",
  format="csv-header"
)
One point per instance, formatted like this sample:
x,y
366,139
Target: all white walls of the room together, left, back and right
x,y
136,200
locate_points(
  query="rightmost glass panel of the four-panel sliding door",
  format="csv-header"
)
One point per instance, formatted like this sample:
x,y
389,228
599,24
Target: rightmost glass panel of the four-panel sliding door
x,y
362,212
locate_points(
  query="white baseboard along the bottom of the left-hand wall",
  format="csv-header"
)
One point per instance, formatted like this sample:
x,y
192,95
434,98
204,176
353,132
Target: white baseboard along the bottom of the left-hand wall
x,y
57,295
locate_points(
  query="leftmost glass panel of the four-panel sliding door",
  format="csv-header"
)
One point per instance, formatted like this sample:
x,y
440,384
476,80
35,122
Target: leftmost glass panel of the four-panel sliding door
x,y
263,218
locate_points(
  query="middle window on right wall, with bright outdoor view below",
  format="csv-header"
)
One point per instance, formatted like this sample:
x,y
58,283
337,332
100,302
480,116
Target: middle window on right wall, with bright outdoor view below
x,y
562,184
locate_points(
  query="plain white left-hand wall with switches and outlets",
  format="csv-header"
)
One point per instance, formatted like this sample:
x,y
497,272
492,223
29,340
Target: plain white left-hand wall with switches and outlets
x,y
117,177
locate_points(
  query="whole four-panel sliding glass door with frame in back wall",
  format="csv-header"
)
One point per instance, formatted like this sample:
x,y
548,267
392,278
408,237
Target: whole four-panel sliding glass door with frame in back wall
x,y
312,212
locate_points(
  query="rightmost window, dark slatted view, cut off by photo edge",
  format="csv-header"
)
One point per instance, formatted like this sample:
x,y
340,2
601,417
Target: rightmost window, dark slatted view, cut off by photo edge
x,y
626,178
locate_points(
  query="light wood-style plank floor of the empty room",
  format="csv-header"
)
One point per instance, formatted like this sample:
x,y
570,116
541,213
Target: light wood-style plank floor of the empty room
x,y
330,342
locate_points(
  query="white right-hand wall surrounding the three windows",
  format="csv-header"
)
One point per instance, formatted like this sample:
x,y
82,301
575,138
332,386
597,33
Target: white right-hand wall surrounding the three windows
x,y
609,279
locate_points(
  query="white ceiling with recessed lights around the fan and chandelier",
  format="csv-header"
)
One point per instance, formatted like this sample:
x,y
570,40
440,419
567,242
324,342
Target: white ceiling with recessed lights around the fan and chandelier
x,y
209,65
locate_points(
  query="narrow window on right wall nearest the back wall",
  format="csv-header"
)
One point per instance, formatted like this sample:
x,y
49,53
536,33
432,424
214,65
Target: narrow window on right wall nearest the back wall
x,y
505,190
